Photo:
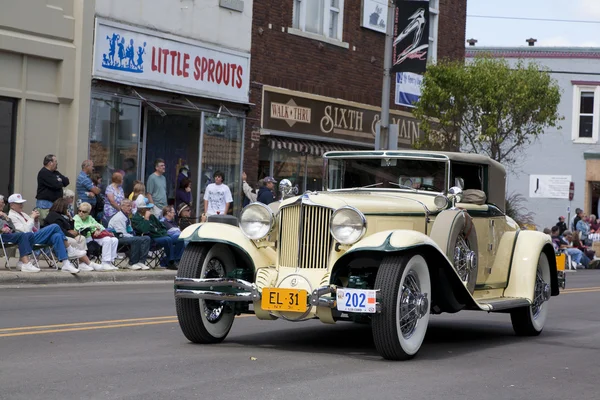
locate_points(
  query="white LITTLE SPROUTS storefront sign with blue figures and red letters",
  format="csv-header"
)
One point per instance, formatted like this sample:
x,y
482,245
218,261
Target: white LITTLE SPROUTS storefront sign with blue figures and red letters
x,y
136,56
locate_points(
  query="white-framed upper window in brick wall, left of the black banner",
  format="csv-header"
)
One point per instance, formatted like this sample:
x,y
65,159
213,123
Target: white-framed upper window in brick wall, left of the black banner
x,y
320,17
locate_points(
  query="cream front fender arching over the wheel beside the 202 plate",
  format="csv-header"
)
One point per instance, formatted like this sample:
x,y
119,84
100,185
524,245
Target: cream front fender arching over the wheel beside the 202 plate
x,y
448,284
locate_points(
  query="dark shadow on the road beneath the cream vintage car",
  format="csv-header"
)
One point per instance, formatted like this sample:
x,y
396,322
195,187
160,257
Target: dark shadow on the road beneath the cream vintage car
x,y
445,339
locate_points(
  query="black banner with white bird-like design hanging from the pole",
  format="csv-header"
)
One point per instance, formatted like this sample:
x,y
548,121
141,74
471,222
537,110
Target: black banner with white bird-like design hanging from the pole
x,y
411,36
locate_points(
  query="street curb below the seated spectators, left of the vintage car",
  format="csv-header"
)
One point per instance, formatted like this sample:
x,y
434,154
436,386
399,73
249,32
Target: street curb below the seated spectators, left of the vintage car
x,y
58,277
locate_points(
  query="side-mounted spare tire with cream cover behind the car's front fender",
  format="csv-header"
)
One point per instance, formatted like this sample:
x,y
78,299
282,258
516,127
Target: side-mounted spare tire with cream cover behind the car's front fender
x,y
454,232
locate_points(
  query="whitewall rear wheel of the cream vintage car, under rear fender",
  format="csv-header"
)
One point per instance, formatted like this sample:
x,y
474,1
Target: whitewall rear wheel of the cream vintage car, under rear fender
x,y
530,321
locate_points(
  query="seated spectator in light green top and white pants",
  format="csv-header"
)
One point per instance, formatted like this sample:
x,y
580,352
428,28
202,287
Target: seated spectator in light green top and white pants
x,y
92,230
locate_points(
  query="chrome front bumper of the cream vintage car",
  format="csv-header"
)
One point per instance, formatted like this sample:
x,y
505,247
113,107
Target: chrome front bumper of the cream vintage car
x,y
223,289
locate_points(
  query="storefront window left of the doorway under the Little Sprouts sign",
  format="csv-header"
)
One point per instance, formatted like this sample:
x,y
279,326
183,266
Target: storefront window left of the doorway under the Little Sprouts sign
x,y
114,138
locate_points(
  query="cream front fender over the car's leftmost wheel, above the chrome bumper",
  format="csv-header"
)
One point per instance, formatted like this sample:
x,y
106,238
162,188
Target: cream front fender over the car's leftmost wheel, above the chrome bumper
x,y
212,232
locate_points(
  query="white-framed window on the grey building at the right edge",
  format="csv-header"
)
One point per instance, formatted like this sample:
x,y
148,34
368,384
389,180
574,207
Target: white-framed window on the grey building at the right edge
x,y
586,114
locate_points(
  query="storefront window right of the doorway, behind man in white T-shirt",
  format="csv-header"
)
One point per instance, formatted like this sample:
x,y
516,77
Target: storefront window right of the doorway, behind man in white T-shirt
x,y
222,151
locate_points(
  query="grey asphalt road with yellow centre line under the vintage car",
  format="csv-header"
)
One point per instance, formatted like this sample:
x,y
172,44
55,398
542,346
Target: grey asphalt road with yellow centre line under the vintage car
x,y
123,342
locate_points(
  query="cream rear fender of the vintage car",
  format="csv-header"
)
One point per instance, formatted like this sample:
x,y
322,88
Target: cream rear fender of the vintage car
x,y
523,267
